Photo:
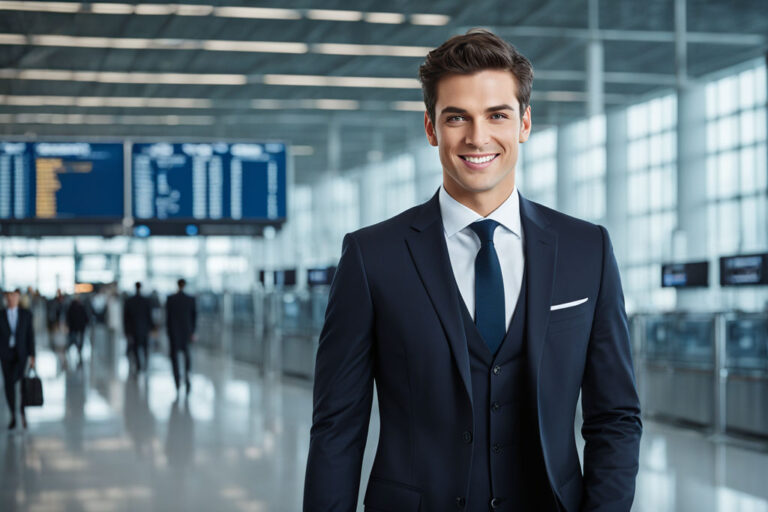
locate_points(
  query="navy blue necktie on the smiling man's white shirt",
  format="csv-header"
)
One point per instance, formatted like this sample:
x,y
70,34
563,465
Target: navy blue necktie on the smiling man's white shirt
x,y
489,287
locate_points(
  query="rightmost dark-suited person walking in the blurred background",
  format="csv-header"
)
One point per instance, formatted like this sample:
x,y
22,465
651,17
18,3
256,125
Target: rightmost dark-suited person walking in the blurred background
x,y
180,320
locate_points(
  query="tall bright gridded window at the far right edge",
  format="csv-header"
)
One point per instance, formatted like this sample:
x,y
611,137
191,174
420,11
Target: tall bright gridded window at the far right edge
x,y
736,161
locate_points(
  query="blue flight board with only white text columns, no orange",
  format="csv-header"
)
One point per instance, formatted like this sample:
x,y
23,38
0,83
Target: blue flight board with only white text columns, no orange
x,y
209,182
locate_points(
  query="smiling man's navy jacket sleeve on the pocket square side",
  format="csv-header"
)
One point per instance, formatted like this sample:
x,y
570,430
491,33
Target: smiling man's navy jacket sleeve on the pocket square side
x,y
610,406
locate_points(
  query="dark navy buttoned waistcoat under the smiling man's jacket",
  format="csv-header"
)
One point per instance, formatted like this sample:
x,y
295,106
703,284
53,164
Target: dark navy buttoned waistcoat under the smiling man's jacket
x,y
508,472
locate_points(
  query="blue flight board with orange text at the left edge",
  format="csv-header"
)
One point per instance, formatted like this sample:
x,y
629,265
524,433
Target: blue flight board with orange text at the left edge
x,y
61,181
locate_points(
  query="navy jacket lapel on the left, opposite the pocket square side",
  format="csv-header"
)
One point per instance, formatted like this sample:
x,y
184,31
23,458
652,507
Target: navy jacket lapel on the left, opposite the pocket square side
x,y
426,243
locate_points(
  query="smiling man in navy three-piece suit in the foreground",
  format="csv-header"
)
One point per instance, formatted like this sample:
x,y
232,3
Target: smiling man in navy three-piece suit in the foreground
x,y
481,316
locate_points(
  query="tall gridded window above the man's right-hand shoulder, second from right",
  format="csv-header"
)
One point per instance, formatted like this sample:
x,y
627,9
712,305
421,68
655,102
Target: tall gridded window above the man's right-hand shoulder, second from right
x,y
651,197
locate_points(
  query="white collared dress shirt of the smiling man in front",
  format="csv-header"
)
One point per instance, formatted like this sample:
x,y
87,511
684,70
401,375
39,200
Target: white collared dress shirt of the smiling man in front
x,y
464,244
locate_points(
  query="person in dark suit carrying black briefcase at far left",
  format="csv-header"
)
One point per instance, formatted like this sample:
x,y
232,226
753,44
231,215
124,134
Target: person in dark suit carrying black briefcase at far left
x,y
17,348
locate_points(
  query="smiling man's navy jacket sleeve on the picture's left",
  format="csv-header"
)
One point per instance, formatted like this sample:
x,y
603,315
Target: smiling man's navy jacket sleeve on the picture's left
x,y
343,390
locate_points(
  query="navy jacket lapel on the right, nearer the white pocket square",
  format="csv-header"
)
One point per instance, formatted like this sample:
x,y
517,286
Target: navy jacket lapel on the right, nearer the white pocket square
x,y
540,258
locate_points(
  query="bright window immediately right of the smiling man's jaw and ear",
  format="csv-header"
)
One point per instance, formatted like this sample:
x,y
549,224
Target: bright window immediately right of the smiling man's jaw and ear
x,y
537,168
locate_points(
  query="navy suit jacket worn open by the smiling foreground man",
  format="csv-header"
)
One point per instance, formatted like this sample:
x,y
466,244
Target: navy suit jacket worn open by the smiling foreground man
x,y
394,317
